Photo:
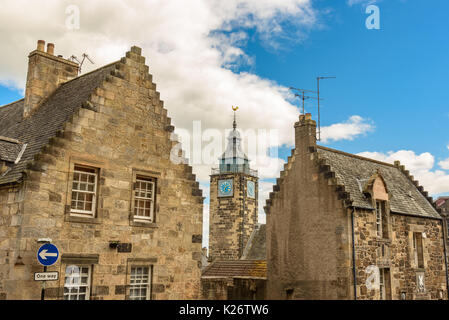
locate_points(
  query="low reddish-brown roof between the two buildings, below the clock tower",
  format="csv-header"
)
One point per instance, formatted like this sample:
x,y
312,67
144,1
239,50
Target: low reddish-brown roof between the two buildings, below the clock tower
x,y
236,269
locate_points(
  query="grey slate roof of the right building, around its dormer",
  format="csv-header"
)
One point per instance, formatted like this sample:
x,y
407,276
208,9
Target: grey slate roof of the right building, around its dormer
x,y
354,171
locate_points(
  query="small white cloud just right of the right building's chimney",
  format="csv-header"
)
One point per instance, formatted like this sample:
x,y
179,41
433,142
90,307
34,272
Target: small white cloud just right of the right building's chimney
x,y
349,130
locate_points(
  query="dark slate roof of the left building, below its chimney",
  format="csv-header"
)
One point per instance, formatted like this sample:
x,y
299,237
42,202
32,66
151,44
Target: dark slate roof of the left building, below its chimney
x,y
43,124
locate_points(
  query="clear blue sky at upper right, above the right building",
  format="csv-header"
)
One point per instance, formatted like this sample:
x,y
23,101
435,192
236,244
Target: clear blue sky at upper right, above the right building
x,y
396,76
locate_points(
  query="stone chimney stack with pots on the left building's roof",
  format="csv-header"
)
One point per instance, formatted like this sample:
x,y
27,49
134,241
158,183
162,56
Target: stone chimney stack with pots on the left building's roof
x,y
45,73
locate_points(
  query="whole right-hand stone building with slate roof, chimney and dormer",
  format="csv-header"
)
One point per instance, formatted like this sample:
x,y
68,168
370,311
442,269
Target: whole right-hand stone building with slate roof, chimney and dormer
x,y
341,226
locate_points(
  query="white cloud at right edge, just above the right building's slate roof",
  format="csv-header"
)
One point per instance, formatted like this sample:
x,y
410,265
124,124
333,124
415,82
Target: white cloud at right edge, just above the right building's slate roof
x,y
421,166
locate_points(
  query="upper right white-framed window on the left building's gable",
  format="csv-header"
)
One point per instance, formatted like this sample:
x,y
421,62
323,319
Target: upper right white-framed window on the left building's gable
x,y
144,188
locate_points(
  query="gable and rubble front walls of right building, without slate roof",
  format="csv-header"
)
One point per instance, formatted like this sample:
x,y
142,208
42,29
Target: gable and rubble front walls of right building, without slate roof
x,y
309,237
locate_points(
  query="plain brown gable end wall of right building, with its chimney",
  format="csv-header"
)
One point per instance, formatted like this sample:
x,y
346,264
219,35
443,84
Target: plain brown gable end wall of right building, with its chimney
x,y
308,242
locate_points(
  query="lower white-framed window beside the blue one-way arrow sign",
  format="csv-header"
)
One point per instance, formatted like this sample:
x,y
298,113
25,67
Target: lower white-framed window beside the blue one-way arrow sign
x,y
77,282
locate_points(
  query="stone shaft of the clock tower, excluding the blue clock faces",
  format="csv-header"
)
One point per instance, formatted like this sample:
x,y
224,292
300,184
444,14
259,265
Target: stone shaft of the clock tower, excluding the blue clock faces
x,y
232,219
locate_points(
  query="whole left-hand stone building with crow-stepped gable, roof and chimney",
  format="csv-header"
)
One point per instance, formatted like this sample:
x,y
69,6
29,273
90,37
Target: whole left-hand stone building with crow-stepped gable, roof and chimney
x,y
85,162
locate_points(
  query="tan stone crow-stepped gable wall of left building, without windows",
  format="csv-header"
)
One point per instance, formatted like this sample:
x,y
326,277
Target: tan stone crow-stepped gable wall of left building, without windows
x,y
129,133
